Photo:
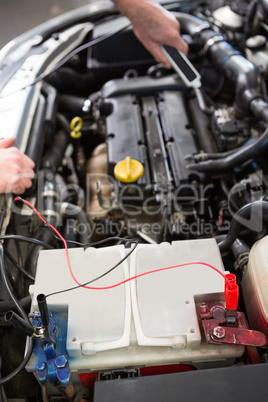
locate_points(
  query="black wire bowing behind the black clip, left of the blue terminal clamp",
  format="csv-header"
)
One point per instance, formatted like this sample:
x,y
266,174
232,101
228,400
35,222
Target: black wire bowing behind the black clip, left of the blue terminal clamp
x,y
23,315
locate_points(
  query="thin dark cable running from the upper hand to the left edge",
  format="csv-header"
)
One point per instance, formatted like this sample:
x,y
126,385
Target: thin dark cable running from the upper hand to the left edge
x,y
67,58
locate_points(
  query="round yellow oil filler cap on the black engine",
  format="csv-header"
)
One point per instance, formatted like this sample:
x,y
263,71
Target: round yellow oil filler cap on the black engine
x,y
128,170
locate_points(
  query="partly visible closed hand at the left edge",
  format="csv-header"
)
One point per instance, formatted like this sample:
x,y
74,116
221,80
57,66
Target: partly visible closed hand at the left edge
x,y
16,169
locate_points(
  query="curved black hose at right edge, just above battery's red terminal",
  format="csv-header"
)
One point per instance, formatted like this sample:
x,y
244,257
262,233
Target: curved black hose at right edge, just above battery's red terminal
x,y
250,216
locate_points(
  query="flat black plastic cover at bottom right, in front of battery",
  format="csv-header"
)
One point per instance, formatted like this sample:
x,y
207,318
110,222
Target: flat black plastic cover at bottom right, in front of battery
x,y
242,383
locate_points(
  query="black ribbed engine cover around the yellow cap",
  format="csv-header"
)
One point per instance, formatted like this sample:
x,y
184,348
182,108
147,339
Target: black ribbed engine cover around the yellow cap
x,y
142,122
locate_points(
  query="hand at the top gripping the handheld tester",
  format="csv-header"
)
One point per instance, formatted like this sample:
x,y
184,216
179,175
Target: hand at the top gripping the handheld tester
x,y
153,26
